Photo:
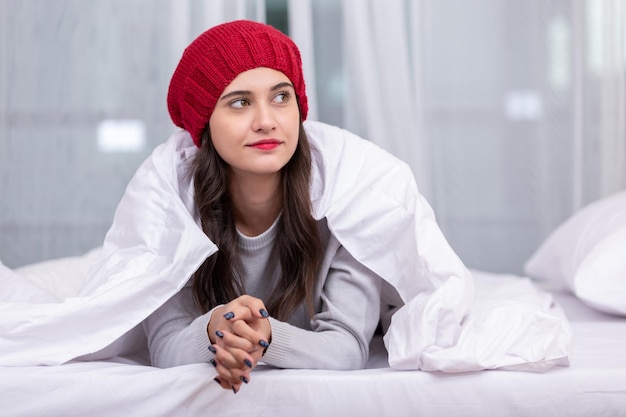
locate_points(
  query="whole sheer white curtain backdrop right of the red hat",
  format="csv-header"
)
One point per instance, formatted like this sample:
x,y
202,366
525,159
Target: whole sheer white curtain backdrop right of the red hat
x,y
510,113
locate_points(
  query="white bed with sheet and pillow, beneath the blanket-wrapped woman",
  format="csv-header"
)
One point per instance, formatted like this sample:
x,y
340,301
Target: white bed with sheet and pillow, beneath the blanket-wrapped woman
x,y
593,383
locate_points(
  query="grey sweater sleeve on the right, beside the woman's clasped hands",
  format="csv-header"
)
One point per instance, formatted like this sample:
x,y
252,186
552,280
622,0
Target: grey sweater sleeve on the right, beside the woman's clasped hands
x,y
342,327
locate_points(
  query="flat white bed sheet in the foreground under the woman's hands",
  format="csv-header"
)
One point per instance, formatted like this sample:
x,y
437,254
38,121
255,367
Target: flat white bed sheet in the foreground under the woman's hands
x,y
594,385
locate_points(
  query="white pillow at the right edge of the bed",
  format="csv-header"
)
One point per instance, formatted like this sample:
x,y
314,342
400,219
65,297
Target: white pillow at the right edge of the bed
x,y
587,253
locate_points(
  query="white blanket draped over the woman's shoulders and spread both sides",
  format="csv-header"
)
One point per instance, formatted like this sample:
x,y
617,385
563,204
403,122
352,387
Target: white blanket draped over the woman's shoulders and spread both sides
x,y
372,206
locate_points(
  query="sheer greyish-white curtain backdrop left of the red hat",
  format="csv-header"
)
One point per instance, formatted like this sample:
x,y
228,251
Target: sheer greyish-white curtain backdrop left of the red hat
x,y
69,71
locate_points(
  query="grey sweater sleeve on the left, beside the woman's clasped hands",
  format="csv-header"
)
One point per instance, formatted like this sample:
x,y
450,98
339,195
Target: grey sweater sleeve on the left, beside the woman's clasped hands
x,y
177,333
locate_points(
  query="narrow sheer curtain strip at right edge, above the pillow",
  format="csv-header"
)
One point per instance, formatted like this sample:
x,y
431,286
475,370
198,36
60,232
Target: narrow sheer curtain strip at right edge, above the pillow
x,y
599,91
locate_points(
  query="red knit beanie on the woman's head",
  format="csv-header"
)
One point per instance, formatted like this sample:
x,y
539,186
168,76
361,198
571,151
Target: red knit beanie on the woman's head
x,y
215,58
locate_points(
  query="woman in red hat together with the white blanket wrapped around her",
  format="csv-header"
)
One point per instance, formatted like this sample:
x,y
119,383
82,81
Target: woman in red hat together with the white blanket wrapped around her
x,y
251,235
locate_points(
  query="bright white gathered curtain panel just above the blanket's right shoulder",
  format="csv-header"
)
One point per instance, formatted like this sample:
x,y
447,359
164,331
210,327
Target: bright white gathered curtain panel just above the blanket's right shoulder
x,y
381,98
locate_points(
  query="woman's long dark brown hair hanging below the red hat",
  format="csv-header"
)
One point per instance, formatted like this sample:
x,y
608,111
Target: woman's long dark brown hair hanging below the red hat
x,y
219,279
